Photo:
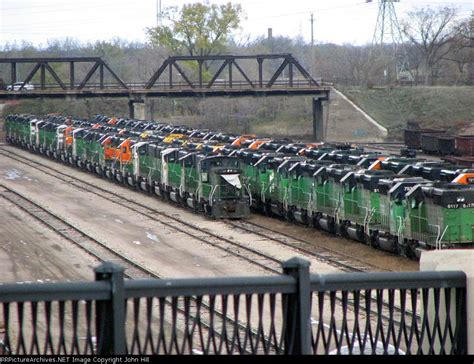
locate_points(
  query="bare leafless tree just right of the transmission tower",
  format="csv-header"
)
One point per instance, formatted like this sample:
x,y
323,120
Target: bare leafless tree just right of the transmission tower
x,y
432,32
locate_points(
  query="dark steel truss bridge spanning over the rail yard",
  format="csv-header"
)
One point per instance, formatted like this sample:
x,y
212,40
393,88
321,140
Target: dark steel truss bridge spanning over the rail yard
x,y
176,77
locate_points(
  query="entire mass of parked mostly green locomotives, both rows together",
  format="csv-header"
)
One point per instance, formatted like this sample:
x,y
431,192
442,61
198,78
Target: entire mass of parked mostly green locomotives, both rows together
x,y
398,204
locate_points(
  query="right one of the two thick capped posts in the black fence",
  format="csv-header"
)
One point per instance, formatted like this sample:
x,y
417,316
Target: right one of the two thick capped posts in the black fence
x,y
297,309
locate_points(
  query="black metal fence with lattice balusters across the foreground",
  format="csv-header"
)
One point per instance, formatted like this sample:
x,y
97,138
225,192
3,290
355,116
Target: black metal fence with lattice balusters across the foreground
x,y
295,313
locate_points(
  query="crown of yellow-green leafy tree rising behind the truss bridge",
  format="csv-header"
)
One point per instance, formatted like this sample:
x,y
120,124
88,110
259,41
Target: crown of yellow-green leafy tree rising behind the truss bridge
x,y
197,29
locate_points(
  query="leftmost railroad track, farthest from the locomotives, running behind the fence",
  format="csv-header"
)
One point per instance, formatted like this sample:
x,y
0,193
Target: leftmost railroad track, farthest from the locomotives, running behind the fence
x,y
100,251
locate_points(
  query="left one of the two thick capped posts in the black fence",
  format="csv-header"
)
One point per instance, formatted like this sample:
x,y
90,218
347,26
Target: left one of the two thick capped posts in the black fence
x,y
110,315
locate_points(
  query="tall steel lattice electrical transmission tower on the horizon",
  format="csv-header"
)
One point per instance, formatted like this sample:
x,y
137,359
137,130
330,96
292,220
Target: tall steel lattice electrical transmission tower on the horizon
x,y
388,34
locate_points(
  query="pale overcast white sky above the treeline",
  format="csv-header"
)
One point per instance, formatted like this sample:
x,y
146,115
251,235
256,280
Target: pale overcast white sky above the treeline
x,y
336,21
